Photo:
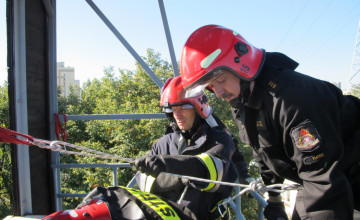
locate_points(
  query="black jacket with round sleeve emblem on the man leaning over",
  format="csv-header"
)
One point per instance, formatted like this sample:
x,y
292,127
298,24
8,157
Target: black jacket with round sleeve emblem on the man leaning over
x,y
305,130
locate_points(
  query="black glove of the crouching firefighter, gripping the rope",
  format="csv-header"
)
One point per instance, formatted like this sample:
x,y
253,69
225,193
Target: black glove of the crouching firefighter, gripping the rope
x,y
150,164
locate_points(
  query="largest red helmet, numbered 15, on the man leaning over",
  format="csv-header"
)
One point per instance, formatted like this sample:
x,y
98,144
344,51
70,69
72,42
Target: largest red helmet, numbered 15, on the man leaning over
x,y
214,47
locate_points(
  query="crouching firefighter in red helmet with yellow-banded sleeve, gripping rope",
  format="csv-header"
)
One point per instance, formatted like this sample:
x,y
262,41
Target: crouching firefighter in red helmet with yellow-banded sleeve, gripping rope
x,y
196,147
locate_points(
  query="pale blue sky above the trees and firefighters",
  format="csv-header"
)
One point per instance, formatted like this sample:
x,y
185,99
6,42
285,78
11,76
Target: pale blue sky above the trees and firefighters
x,y
320,35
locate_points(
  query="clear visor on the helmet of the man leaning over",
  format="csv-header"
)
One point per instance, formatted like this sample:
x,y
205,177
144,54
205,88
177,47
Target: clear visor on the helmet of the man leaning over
x,y
202,83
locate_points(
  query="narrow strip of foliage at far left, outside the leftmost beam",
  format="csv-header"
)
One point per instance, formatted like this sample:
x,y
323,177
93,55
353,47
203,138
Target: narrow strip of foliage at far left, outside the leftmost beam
x,y
5,158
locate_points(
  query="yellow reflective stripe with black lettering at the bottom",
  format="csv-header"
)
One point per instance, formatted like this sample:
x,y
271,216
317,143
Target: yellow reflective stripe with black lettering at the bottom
x,y
157,204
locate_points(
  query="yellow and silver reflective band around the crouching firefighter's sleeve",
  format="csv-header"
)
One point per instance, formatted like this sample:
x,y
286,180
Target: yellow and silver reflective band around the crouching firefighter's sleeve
x,y
215,168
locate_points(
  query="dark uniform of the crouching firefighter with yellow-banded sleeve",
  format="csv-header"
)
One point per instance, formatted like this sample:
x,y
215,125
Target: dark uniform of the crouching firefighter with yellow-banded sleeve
x,y
212,141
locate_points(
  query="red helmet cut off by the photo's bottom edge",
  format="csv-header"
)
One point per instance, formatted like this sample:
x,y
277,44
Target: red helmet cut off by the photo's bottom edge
x,y
96,209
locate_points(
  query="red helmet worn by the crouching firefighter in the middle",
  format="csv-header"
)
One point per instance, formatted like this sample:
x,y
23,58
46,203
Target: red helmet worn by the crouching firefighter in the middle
x,y
173,93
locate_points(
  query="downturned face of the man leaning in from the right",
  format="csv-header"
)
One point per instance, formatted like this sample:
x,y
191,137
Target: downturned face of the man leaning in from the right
x,y
226,85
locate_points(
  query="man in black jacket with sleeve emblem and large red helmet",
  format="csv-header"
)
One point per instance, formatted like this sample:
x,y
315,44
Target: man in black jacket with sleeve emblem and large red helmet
x,y
300,128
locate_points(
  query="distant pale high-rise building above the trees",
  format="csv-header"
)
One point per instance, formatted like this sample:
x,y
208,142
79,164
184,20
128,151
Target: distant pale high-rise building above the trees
x,y
66,78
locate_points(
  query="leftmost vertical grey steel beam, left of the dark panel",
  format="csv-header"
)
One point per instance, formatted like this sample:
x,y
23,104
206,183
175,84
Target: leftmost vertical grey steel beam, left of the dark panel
x,y
23,161
